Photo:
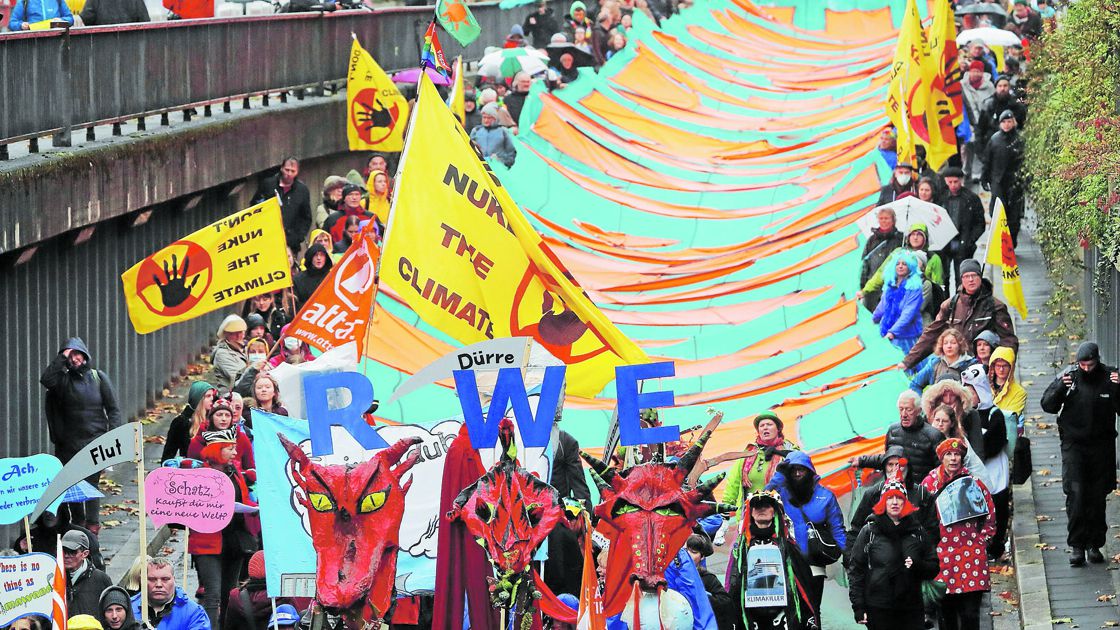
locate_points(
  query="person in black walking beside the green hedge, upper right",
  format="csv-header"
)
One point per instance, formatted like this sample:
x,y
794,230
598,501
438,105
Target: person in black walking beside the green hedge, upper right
x,y
1004,161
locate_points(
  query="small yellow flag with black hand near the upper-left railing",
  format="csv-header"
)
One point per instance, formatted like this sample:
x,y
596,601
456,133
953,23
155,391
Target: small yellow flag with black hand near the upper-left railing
x,y
376,109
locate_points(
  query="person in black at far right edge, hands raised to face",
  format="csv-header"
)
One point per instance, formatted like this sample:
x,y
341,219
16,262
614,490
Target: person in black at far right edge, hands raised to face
x,y
1087,401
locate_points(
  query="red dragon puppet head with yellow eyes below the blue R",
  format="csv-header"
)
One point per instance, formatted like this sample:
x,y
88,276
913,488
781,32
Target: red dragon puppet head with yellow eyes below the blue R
x,y
356,513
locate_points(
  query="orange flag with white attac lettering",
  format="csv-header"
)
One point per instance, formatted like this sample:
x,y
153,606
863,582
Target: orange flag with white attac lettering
x,y
339,311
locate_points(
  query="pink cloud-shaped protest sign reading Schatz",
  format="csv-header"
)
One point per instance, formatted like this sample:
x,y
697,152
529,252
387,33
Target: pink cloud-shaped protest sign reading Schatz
x,y
201,499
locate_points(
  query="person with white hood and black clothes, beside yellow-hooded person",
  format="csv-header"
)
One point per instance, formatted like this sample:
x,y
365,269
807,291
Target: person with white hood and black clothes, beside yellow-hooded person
x,y
996,461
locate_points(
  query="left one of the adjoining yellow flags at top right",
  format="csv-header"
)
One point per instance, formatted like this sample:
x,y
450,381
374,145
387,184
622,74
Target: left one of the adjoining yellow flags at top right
x,y
907,97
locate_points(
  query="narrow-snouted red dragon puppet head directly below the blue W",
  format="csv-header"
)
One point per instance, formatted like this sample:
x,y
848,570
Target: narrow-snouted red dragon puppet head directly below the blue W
x,y
510,512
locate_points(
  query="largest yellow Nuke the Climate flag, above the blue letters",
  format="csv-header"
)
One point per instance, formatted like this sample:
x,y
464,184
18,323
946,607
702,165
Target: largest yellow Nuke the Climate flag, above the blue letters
x,y
462,255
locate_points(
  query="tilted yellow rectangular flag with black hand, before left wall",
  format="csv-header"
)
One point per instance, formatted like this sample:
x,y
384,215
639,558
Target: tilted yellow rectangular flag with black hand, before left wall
x,y
220,266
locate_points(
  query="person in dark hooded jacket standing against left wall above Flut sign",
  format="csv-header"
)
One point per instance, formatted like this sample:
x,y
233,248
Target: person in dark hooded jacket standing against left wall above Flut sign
x,y
81,406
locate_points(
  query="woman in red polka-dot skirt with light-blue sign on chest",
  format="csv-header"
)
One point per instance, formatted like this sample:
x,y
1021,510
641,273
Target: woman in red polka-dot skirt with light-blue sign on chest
x,y
968,522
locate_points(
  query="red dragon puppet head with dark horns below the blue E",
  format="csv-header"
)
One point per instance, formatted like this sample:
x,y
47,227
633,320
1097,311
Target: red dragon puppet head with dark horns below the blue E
x,y
648,513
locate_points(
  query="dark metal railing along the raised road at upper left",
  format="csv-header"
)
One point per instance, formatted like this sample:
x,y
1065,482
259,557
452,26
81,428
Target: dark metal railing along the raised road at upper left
x,y
60,80
